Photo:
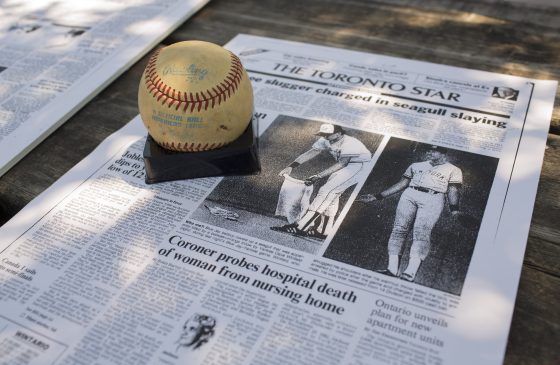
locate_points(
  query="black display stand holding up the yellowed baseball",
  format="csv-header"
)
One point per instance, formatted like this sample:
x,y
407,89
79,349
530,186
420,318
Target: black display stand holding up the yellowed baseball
x,y
239,157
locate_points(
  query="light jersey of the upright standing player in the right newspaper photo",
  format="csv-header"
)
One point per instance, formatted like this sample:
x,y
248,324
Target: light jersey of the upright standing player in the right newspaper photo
x,y
437,178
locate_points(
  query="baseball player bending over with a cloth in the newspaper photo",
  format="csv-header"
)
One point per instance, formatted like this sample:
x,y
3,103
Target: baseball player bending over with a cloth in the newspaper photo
x,y
350,155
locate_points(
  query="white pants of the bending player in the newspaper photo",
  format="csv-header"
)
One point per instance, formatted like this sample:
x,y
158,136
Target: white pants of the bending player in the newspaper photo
x,y
337,183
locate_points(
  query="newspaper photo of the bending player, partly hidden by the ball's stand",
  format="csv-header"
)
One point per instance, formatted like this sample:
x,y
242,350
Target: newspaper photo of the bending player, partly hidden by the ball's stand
x,y
309,170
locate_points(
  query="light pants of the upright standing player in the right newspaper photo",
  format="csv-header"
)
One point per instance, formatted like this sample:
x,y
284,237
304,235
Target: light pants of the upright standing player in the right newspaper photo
x,y
426,208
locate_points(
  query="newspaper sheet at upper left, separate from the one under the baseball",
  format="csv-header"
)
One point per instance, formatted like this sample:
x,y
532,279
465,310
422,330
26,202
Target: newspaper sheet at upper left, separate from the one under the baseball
x,y
56,55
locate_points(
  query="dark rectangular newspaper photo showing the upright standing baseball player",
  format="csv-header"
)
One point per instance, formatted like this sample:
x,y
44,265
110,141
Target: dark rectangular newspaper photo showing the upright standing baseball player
x,y
418,214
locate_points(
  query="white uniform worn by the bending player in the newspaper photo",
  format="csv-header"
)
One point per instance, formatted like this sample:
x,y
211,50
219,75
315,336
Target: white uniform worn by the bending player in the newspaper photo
x,y
342,179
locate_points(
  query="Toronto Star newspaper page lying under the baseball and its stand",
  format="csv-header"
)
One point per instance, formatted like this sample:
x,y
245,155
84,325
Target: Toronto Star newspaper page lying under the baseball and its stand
x,y
387,226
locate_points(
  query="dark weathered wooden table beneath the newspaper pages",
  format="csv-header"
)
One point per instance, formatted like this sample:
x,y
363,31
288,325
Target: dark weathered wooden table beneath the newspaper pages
x,y
492,35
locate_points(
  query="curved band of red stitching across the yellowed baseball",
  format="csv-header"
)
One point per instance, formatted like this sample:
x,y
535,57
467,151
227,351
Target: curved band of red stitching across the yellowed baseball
x,y
226,88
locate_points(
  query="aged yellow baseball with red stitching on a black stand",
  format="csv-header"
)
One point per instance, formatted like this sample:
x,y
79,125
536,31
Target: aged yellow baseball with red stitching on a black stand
x,y
195,96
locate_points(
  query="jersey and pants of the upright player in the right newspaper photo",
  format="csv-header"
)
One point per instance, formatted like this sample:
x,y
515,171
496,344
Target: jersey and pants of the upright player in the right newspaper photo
x,y
422,203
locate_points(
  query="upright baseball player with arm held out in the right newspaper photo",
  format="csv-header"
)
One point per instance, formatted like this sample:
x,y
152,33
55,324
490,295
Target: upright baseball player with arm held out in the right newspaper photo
x,y
425,185
